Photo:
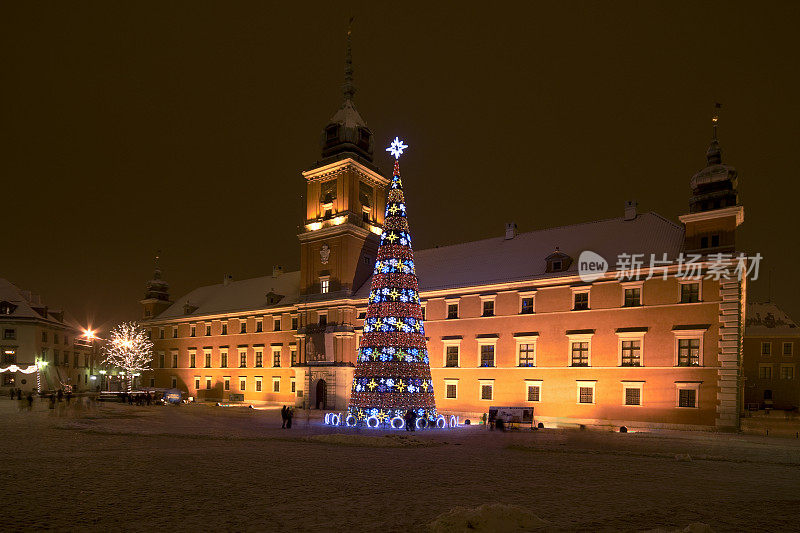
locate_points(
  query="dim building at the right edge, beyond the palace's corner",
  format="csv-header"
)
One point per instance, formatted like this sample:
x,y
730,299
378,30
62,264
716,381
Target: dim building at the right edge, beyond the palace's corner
x,y
771,344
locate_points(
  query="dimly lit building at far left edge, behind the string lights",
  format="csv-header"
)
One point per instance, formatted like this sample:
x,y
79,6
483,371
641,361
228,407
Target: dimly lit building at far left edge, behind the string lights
x,y
33,333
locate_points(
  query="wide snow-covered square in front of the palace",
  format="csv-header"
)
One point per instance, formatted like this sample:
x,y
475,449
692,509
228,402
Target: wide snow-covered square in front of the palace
x,y
207,468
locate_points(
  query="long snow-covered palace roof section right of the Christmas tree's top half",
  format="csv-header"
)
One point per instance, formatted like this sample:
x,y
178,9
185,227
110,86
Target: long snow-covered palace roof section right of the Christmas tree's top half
x,y
499,260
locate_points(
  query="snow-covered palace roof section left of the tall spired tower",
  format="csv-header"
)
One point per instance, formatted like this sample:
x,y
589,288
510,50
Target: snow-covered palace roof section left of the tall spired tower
x,y
236,296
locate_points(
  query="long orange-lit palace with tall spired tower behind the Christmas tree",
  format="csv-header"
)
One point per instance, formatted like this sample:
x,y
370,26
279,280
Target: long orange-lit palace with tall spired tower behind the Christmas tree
x,y
508,320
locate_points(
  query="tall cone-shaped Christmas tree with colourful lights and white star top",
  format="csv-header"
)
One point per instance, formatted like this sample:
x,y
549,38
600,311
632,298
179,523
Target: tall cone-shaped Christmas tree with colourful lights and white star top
x,y
393,374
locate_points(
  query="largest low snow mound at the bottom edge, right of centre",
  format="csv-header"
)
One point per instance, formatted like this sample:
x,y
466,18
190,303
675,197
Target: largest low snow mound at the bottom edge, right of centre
x,y
495,517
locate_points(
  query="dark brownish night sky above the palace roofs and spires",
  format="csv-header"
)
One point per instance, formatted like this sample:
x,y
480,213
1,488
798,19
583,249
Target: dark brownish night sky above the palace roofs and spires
x,y
132,126
